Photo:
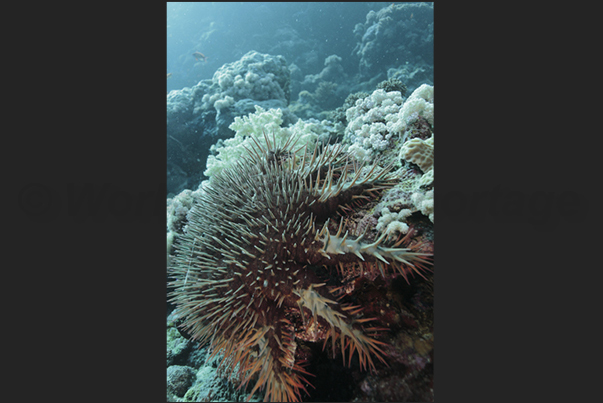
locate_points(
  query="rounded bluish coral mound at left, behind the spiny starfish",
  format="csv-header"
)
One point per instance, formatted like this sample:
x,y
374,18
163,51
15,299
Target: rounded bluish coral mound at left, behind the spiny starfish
x,y
199,116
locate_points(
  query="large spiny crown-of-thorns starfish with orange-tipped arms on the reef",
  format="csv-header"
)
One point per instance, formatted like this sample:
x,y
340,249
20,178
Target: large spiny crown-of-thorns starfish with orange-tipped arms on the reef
x,y
246,270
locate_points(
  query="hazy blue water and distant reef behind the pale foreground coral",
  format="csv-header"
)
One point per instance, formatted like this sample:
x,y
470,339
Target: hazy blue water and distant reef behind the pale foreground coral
x,y
330,50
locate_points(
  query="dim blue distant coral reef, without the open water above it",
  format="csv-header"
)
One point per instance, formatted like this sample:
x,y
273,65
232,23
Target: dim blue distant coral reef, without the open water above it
x,y
316,80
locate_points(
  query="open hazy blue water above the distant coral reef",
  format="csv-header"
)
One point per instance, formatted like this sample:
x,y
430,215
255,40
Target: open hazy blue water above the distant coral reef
x,y
304,33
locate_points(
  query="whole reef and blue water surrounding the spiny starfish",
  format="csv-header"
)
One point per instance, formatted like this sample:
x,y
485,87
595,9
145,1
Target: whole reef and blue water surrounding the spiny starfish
x,y
358,74
